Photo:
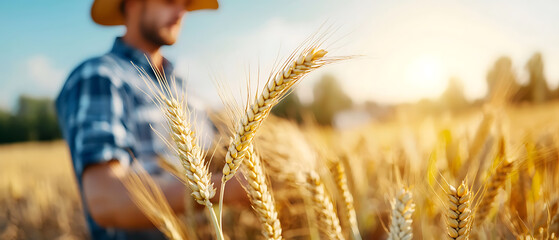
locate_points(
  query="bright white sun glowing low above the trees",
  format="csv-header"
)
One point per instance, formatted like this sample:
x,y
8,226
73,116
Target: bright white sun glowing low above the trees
x,y
425,74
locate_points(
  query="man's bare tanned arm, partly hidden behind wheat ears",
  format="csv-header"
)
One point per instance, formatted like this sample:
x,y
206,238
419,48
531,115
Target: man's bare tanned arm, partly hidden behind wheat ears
x,y
110,205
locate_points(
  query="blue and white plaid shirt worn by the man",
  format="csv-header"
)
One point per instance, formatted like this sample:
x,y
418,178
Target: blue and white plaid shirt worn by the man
x,y
104,116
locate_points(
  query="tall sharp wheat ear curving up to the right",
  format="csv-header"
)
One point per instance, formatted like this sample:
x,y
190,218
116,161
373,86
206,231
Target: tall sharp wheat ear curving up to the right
x,y
276,88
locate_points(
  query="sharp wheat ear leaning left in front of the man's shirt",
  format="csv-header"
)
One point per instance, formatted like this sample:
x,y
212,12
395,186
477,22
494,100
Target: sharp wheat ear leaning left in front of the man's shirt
x,y
185,145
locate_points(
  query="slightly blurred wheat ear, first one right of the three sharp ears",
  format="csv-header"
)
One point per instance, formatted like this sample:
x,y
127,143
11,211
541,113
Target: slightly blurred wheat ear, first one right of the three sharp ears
x,y
323,206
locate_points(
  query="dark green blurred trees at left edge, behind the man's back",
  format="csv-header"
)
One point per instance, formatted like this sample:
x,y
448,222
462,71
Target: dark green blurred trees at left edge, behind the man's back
x,y
34,120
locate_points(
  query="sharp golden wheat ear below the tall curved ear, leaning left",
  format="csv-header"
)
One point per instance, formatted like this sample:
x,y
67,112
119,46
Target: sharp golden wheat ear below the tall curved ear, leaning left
x,y
261,197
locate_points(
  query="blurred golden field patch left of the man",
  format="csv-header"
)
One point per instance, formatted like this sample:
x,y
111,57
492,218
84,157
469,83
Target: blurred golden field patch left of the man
x,y
38,193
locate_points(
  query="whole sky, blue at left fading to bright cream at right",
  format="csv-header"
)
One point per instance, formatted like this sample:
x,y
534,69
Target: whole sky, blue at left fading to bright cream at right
x,y
410,48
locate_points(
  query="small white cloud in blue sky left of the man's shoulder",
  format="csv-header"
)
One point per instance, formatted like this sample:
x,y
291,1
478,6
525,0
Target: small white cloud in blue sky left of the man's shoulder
x,y
44,78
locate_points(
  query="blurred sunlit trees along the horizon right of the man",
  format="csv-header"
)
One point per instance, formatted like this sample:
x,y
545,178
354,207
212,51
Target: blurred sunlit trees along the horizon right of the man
x,y
329,99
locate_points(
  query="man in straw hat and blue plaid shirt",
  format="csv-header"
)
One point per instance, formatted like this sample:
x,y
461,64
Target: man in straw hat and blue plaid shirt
x,y
106,118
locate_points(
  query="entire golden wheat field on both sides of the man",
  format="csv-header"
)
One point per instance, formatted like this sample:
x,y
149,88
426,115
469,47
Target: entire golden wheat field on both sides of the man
x,y
405,179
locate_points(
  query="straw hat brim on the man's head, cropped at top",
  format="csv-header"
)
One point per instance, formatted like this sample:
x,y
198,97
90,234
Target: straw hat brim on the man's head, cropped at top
x,y
107,12
